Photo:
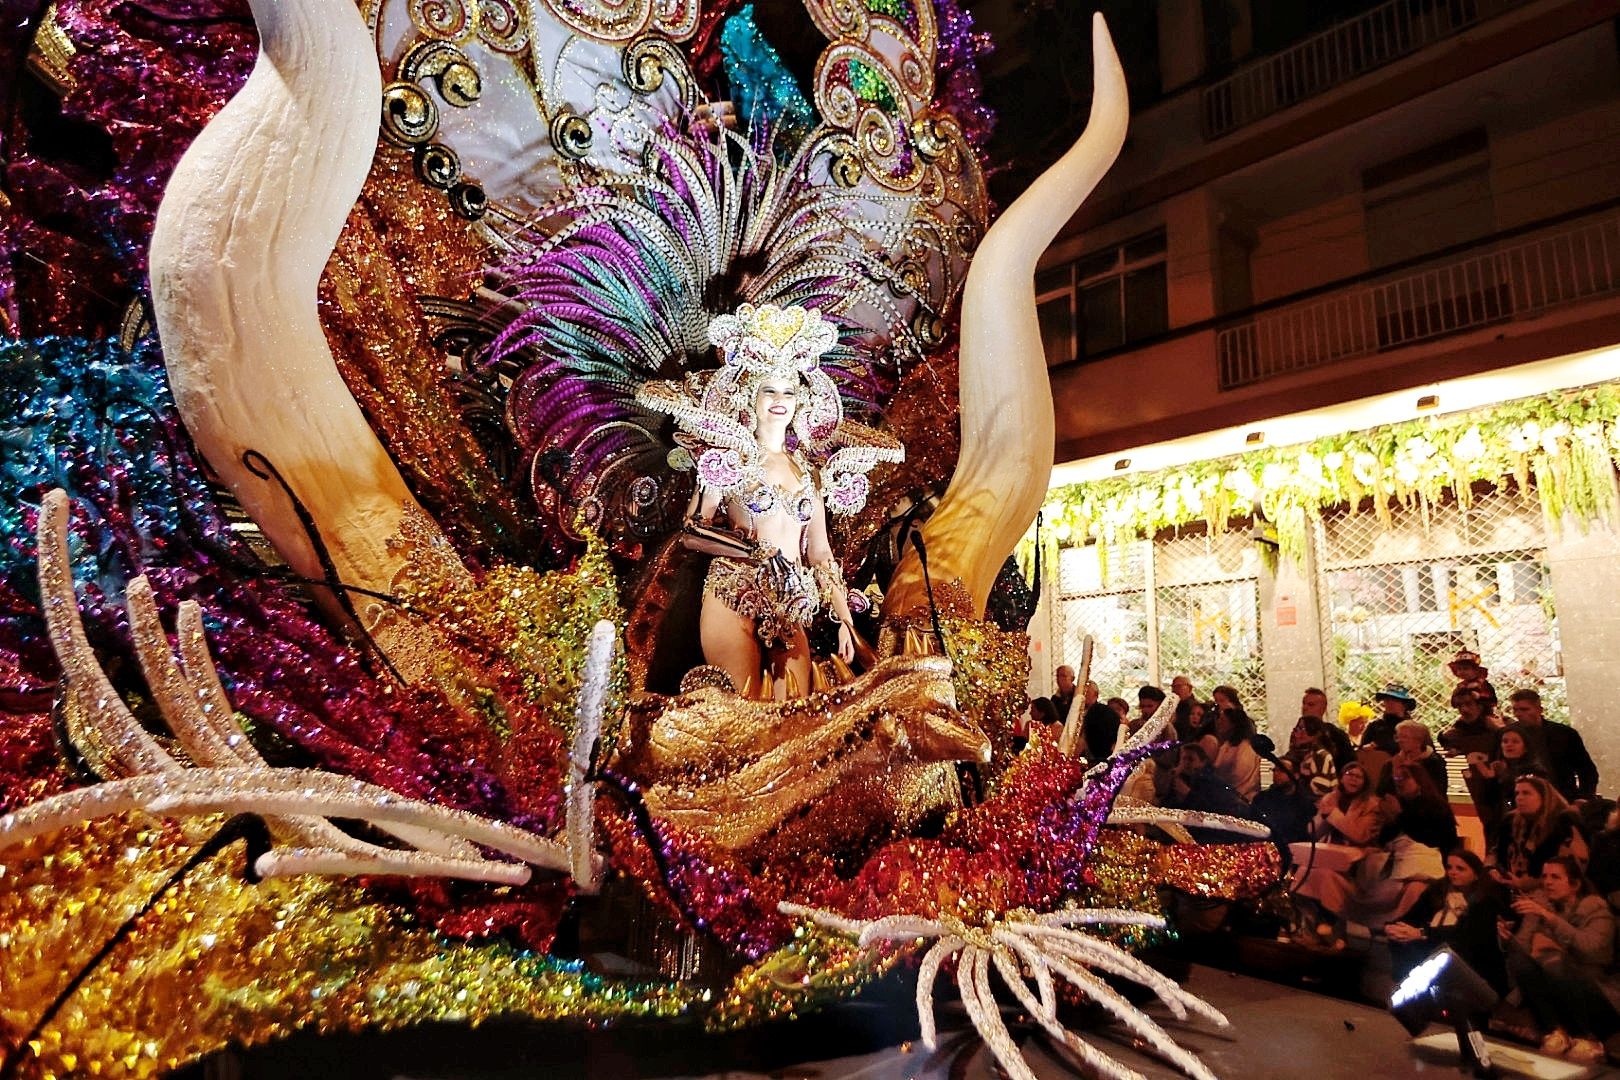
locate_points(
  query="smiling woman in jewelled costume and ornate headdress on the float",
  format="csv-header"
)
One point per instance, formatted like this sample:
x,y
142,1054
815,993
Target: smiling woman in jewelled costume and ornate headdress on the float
x,y
756,432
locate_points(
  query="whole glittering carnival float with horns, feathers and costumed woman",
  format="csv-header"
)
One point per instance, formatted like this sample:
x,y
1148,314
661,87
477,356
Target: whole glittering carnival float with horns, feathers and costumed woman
x,y
522,475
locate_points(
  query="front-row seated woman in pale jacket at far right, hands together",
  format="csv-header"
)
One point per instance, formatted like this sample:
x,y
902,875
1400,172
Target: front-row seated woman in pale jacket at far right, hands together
x,y
1558,956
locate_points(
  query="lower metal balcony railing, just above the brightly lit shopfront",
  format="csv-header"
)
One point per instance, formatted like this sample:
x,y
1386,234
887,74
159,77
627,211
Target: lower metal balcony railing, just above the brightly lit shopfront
x,y
1579,261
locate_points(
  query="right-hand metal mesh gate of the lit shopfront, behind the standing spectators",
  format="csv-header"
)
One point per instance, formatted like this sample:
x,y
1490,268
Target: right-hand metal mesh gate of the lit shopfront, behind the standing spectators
x,y
1399,603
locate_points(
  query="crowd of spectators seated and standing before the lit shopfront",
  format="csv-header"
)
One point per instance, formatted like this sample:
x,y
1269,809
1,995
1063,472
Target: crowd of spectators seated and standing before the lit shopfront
x,y
1375,844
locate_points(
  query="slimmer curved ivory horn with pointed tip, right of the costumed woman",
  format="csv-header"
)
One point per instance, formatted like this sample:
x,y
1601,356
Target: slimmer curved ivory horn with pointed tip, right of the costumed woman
x,y
1008,438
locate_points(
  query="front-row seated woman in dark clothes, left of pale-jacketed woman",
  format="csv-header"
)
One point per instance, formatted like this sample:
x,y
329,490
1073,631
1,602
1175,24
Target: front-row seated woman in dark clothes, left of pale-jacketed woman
x,y
1460,912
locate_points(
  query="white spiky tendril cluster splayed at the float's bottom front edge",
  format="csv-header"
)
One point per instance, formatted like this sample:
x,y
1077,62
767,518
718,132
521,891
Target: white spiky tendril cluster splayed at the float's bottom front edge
x,y
1028,948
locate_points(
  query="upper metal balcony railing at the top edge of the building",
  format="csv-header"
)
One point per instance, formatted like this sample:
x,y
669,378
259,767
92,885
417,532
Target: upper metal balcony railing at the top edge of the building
x,y
1336,57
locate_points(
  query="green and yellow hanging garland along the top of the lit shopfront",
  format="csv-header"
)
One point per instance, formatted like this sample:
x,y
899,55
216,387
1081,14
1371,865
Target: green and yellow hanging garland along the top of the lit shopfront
x,y
1562,446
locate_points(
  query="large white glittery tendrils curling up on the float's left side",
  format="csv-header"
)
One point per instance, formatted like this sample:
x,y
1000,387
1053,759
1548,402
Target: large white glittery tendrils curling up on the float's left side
x,y
232,778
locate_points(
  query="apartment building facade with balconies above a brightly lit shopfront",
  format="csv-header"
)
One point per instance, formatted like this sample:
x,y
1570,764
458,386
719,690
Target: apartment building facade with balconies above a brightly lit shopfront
x,y
1404,223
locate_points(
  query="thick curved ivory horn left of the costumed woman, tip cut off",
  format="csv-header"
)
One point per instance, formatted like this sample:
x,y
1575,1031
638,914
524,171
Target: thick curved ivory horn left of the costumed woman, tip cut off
x,y
244,232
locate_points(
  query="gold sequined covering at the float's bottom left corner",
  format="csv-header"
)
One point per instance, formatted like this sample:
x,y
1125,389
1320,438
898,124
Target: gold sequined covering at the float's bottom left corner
x,y
218,961
